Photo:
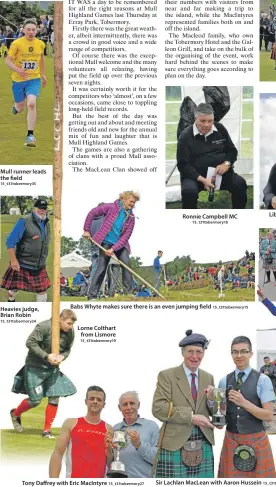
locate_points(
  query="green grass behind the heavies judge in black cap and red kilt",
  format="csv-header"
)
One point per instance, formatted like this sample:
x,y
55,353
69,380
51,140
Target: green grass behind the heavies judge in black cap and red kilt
x,y
7,223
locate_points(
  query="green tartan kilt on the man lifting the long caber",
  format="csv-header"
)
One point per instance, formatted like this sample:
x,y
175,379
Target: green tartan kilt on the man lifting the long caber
x,y
41,383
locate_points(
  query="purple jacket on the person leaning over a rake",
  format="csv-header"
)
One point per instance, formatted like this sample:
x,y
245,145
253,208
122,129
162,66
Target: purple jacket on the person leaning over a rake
x,y
110,211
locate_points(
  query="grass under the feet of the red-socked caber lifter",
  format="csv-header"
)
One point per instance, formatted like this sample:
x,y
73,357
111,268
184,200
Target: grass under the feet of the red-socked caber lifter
x,y
29,442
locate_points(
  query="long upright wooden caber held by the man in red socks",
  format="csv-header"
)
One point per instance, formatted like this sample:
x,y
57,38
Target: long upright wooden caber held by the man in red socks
x,y
57,169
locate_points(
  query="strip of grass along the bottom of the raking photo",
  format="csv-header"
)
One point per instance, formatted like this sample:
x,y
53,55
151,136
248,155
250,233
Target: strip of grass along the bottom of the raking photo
x,y
200,294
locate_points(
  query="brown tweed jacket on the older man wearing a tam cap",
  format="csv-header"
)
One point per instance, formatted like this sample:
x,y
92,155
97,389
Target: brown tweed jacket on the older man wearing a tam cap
x,y
173,386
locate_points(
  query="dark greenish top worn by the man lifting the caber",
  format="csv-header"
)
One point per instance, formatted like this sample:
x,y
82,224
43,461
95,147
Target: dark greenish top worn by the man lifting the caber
x,y
39,345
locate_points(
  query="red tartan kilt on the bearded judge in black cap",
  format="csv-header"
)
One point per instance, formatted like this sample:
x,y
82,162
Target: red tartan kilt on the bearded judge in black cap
x,y
35,281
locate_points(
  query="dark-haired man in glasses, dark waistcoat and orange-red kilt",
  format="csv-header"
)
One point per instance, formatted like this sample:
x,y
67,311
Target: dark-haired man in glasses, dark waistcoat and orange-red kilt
x,y
246,450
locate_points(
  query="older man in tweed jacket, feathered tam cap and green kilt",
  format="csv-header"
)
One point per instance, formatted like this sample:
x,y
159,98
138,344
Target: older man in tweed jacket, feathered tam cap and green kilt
x,y
180,402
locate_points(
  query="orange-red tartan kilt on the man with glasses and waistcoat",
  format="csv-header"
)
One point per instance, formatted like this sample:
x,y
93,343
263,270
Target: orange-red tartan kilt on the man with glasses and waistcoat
x,y
259,441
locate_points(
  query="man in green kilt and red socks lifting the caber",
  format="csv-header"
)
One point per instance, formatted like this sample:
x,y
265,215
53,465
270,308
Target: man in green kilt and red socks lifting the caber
x,y
41,376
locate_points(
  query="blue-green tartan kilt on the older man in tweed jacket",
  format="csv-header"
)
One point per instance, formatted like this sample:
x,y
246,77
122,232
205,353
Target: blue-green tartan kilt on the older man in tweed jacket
x,y
170,464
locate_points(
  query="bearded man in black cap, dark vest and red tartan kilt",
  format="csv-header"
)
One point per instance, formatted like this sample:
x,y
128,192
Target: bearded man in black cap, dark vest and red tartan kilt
x,y
28,247
